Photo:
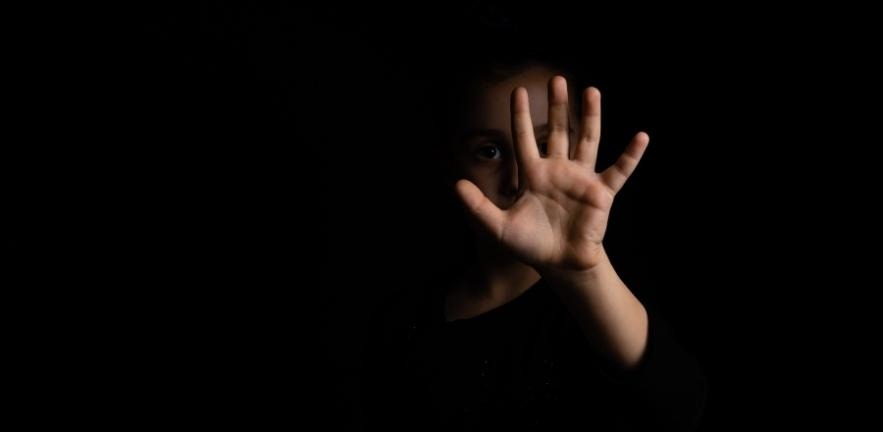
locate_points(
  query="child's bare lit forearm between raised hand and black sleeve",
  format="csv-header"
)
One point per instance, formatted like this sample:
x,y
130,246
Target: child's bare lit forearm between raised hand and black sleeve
x,y
610,316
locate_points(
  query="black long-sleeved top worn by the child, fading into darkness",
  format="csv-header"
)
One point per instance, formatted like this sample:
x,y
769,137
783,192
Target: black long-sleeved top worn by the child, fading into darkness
x,y
525,365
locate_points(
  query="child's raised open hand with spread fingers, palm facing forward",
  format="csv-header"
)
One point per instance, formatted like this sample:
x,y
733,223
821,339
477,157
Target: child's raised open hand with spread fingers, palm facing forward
x,y
561,214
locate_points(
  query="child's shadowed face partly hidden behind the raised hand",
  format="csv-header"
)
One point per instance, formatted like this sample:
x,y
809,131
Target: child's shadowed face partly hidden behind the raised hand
x,y
485,155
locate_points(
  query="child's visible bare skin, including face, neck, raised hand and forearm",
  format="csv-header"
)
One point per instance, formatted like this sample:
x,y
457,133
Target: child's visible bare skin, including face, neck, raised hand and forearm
x,y
544,213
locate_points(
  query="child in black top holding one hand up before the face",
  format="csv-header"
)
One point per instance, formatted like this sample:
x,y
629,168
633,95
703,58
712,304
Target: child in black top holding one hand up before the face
x,y
539,332
